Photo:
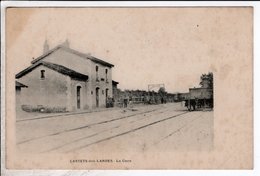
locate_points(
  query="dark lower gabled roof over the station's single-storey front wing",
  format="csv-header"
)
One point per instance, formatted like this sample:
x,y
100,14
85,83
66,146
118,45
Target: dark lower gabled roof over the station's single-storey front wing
x,y
59,68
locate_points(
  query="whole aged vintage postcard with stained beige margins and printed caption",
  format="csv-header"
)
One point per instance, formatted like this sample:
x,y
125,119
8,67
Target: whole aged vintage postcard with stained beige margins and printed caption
x,y
129,88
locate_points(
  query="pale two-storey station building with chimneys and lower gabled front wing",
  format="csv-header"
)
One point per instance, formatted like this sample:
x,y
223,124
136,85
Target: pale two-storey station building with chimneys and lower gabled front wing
x,y
68,79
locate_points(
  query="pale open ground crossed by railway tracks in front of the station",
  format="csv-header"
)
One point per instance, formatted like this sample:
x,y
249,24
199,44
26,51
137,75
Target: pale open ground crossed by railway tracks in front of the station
x,y
138,128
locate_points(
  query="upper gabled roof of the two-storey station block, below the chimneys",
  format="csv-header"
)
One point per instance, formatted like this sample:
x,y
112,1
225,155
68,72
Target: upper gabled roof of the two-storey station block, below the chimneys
x,y
83,55
